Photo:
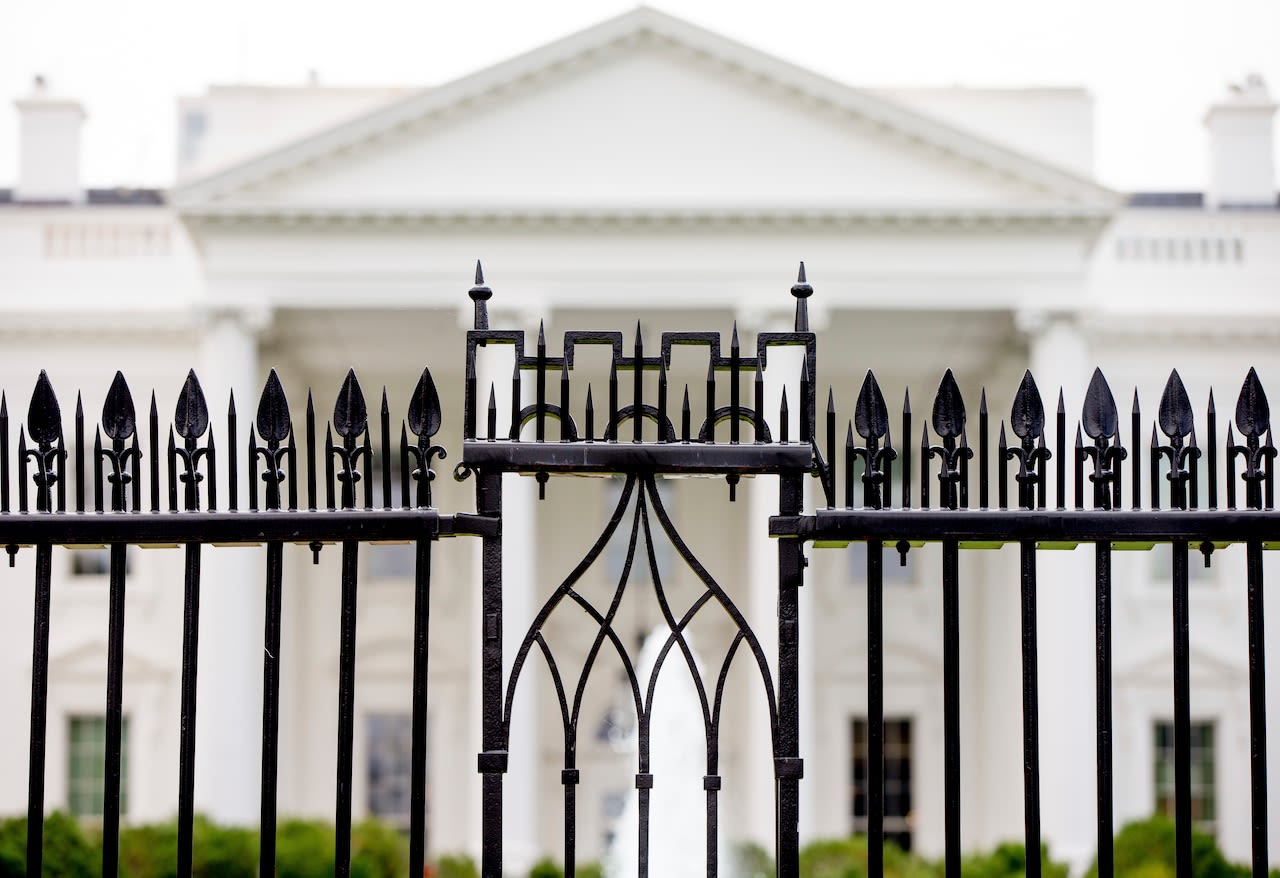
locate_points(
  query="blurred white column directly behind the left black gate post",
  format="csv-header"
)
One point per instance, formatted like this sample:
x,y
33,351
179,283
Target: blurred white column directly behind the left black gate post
x,y
522,801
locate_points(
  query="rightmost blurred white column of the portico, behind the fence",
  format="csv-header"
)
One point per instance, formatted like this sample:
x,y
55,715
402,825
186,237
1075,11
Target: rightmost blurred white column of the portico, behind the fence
x,y
1066,601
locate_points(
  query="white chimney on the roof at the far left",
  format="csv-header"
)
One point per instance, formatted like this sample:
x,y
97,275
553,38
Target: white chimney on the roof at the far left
x,y
49,145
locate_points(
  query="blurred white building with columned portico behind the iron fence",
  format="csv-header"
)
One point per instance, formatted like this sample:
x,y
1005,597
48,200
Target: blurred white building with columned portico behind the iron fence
x,y
643,170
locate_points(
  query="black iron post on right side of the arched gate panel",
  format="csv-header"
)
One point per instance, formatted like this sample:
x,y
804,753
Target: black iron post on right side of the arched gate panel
x,y
788,766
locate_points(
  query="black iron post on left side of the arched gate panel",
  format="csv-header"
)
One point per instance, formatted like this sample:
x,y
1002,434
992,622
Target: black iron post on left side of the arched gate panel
x,y
492,761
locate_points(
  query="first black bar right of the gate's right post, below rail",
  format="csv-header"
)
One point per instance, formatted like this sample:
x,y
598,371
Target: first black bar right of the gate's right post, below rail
x,y
876,707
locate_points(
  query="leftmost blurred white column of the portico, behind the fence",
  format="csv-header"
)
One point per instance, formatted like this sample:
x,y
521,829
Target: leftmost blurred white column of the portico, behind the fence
x,y
230,684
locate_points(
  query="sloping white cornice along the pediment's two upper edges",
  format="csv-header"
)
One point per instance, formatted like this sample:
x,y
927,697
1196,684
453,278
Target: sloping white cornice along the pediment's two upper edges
x,y
637,28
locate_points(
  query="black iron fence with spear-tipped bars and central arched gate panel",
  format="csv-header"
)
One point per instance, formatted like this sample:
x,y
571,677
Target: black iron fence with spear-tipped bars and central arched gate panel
x,y
170,484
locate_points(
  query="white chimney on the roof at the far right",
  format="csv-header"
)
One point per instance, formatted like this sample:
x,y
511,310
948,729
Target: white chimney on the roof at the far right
x,y
1242,164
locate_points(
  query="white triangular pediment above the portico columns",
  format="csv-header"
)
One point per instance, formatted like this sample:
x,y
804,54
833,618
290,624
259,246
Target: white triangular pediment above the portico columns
x,y
643,113
